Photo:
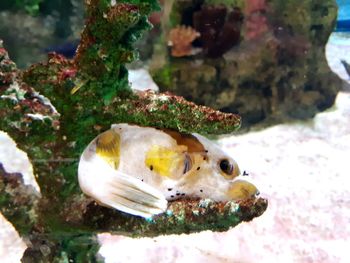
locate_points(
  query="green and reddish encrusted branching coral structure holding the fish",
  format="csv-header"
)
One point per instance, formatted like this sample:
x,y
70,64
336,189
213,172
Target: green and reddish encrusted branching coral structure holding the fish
x,y
54,109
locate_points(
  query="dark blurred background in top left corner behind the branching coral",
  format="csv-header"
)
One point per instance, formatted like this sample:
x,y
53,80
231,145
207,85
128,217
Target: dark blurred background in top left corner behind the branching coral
x,y
31,28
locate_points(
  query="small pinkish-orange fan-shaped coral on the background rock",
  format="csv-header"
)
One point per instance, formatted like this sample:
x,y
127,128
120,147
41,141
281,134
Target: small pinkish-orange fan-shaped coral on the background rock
x,y
180,39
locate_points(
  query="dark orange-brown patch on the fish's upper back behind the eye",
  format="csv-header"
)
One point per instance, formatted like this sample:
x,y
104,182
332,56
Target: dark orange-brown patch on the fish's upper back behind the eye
x,y
188,140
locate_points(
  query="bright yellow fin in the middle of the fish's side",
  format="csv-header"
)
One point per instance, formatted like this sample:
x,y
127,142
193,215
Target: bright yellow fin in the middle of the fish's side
x,y
165,161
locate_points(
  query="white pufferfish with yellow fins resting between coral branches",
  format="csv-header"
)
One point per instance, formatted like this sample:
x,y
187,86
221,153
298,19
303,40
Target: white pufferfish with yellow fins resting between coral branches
x,y
138,170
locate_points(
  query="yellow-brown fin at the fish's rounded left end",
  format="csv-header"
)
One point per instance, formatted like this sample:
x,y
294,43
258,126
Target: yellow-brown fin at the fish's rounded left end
x,y
108,147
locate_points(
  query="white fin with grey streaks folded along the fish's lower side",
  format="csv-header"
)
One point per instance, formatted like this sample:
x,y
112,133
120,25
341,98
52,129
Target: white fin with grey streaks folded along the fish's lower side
x,y
132,196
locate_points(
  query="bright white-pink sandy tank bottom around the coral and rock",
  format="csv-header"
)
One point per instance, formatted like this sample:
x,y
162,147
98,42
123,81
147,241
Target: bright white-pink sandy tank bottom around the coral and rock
x,y
301,167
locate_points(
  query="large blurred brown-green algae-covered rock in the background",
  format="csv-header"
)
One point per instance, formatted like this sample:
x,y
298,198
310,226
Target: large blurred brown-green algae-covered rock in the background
x,y
274,70
